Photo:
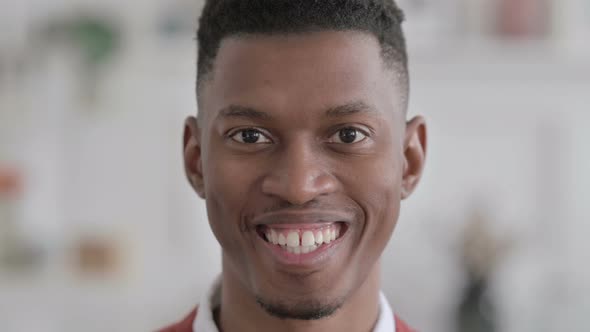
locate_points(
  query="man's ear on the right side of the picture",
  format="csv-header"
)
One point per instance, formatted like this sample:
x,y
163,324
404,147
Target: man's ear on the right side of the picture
x,y
414,155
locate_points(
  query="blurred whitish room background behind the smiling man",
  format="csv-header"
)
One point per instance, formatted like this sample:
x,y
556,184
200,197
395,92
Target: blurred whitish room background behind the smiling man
x,y
100,232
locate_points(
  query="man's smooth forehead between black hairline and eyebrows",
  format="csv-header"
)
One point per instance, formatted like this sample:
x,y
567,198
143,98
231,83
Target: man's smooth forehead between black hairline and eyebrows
x,y
299,72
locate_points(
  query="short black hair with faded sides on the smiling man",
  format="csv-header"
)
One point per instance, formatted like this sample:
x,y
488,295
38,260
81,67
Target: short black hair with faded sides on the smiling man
x,y
226,18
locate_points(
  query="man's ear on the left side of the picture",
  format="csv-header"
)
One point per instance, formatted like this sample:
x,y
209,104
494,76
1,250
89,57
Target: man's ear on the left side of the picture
x,y
193,164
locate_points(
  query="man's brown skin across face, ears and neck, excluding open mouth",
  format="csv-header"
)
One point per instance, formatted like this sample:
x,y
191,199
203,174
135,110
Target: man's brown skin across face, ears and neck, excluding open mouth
x,y
301,125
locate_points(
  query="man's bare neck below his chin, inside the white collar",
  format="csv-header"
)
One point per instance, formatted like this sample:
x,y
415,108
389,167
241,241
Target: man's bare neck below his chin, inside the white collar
x,y
240,312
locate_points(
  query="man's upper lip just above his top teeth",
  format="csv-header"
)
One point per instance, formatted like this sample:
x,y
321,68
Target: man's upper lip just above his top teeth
x,y
301,217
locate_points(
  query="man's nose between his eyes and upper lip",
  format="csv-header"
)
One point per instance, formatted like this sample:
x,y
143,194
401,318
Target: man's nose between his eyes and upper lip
x,y
299,175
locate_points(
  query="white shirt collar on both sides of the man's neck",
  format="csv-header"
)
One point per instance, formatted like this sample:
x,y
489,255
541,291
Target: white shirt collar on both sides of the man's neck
x,y
205,322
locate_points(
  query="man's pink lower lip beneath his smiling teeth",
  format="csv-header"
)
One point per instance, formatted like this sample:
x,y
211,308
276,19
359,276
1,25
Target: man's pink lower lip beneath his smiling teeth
x,y
311,259
